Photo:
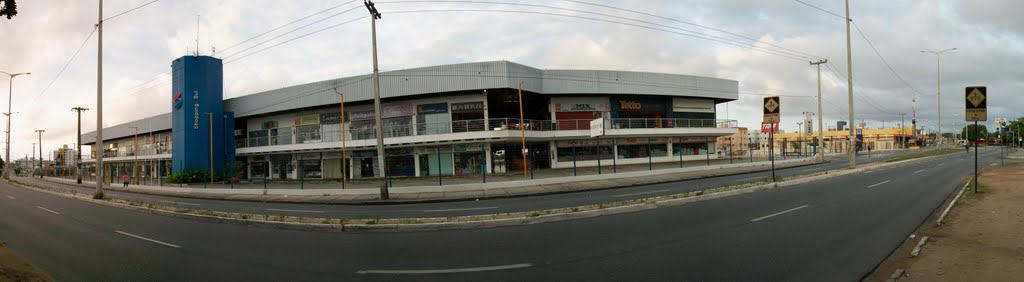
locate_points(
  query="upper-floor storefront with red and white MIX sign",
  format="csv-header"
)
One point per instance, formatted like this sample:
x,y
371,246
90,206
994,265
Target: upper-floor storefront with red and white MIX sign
x,y
576,113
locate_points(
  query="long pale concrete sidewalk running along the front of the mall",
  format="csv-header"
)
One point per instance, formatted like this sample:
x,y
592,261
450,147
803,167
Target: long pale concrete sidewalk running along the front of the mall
x,y
449,192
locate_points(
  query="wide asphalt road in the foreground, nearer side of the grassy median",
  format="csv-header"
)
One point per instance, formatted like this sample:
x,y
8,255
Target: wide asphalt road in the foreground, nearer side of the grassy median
x,y
837,229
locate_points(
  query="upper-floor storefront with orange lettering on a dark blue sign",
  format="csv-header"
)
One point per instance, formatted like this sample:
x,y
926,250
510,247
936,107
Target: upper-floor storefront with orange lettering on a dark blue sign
x,y
639,112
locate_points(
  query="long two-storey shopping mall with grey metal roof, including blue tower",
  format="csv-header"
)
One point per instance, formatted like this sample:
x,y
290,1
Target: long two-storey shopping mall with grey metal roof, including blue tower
x,y
451,119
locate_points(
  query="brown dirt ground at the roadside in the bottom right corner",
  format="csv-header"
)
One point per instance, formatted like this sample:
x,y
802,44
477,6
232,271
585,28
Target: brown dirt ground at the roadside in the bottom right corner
x,y
983,239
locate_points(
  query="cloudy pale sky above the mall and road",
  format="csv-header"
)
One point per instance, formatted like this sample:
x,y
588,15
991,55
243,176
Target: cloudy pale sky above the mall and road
x,y
764,46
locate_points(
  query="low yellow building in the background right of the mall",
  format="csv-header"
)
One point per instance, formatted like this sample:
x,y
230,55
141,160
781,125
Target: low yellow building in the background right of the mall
x,y
838,142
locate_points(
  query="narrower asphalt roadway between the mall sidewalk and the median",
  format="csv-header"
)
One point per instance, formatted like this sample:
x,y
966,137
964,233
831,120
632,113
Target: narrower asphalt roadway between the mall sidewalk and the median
x,y
487,207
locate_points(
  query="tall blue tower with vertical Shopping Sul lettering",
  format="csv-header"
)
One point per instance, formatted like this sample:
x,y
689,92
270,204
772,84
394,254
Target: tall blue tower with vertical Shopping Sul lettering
x,y
198,104
